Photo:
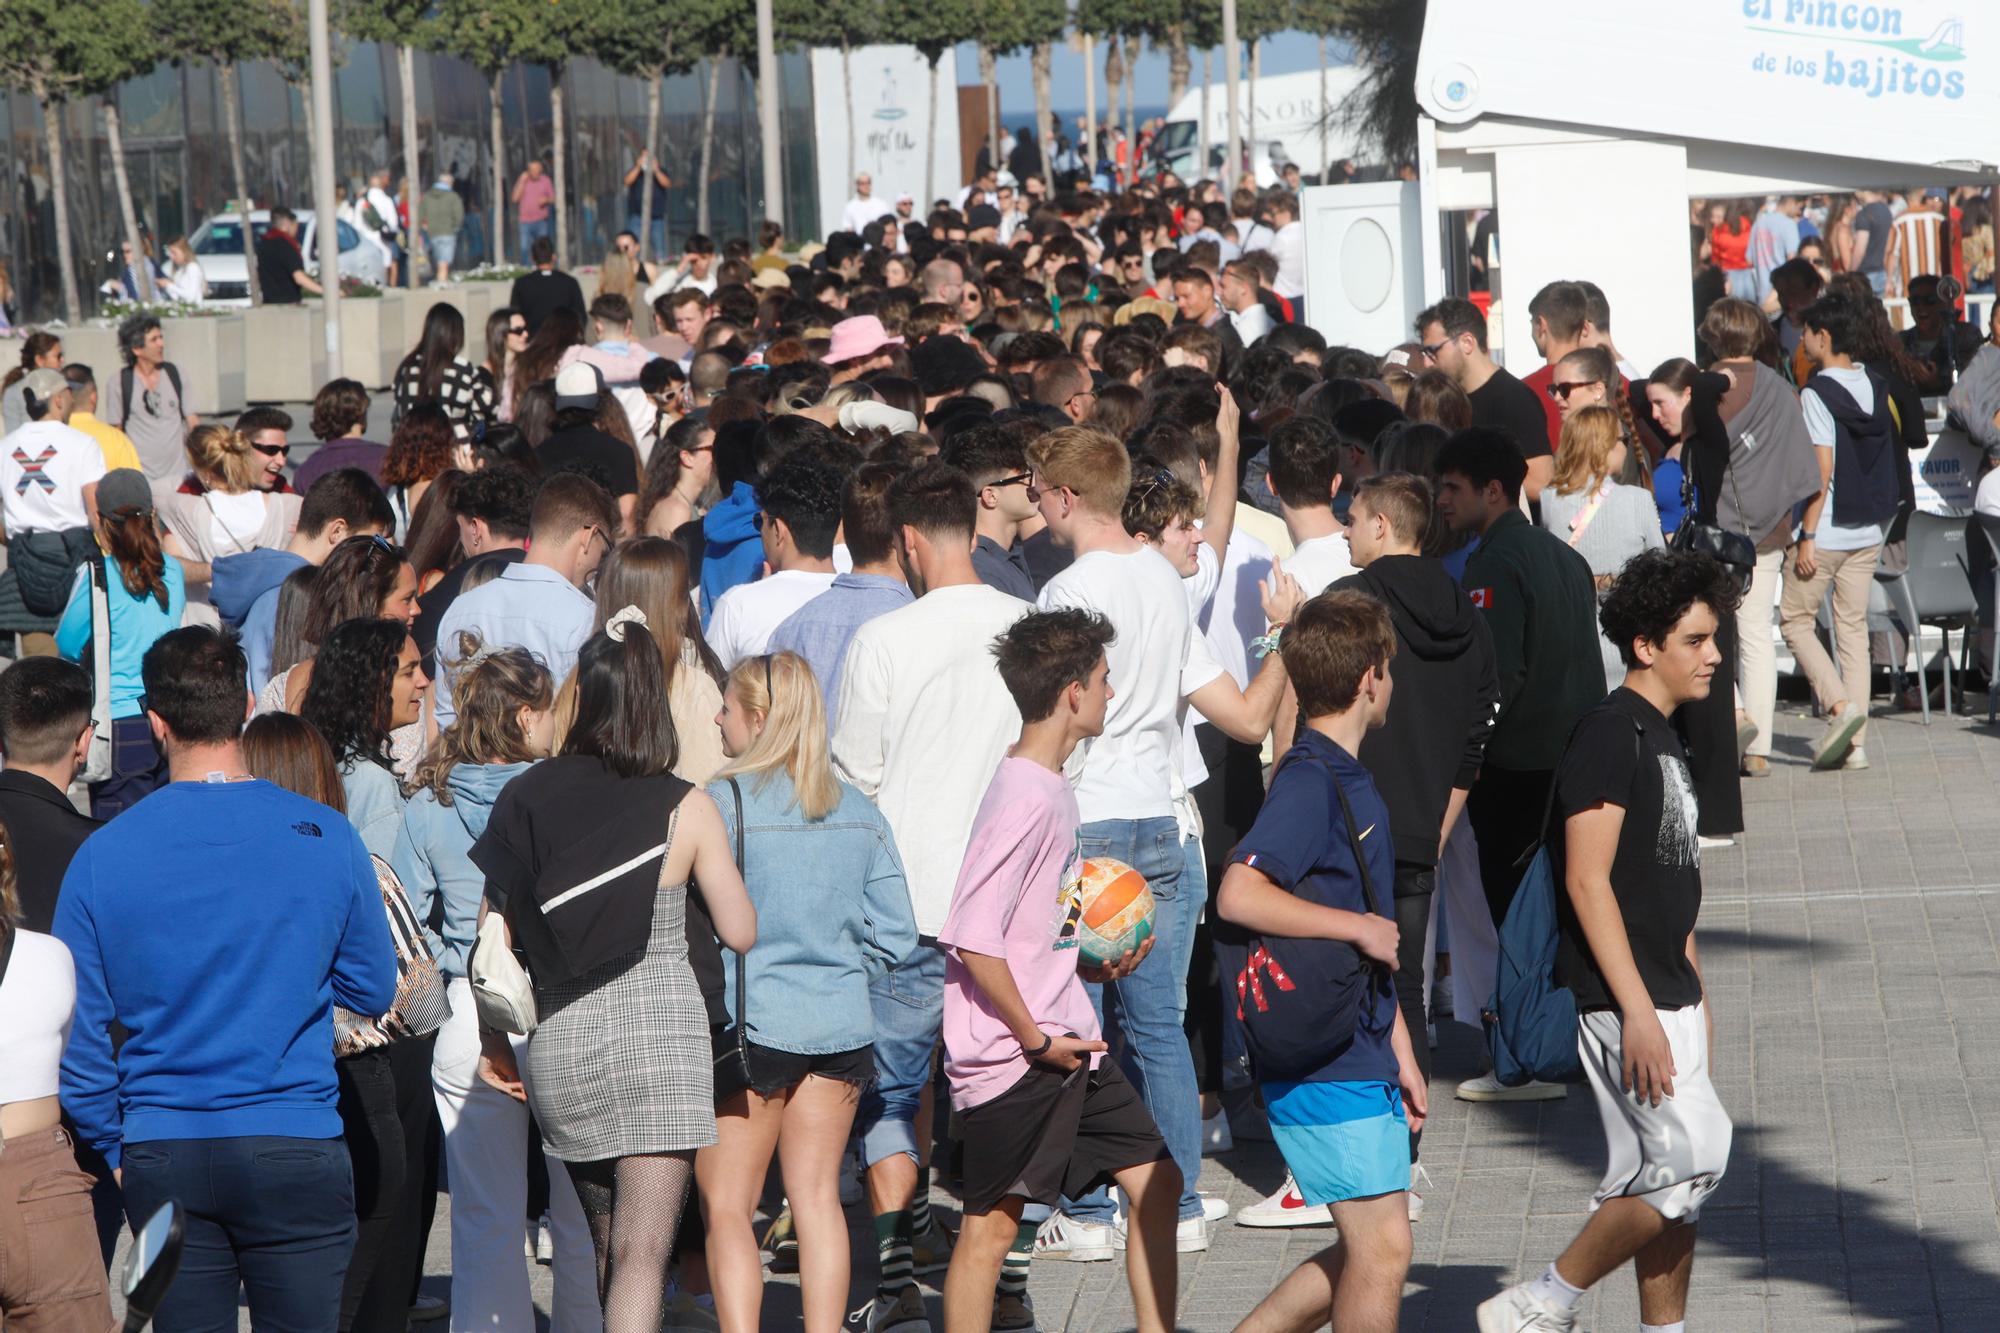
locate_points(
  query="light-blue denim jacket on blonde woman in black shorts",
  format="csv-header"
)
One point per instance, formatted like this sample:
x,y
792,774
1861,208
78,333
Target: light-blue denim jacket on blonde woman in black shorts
x,y
833,912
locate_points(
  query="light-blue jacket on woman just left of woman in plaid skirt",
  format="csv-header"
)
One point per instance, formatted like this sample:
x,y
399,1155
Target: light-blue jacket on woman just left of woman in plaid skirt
x,y
433,860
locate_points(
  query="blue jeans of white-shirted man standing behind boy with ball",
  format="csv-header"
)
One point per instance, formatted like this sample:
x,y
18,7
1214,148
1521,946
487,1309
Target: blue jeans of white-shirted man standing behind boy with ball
x,y
1149,1006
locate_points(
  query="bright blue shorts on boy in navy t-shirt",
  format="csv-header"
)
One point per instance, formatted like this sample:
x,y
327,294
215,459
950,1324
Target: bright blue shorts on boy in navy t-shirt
x,y
1341,1140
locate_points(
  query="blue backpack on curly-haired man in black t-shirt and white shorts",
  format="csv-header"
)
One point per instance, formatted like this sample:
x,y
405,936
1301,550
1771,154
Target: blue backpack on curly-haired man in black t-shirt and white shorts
x,y
1531,1020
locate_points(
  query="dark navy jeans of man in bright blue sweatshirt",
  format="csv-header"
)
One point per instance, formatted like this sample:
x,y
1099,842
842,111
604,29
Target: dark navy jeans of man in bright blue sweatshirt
x,y
269,1214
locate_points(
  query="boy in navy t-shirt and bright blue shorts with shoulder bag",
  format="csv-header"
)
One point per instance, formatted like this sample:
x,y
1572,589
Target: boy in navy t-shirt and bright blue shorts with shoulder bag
x,y
1301,874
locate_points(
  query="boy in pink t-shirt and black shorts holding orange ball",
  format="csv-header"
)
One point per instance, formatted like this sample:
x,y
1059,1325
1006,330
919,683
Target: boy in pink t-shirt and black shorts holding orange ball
x,y
1043,1112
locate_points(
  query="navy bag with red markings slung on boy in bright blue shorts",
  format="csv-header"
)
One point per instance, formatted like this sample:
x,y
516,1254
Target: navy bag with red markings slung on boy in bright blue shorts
x,y
1301,1000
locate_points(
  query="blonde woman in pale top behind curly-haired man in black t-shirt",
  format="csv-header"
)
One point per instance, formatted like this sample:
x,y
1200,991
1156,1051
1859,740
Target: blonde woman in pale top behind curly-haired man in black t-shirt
x,y
1601,519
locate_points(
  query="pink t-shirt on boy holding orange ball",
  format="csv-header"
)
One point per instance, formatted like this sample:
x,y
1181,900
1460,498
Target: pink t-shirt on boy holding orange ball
x,y
1017,900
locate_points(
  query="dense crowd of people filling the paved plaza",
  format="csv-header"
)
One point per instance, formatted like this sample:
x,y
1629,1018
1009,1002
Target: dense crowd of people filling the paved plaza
x,y
667,754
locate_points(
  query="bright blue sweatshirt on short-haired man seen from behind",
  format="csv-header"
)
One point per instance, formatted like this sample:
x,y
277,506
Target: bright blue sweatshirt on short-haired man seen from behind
x,y
219,924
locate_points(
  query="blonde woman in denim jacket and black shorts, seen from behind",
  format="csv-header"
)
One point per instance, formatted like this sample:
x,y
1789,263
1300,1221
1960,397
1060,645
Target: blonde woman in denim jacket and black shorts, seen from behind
x,y
833,914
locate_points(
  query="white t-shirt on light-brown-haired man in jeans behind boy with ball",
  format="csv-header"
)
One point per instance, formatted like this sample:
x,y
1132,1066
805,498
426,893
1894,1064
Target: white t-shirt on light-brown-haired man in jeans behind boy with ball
x,y
1129,772
